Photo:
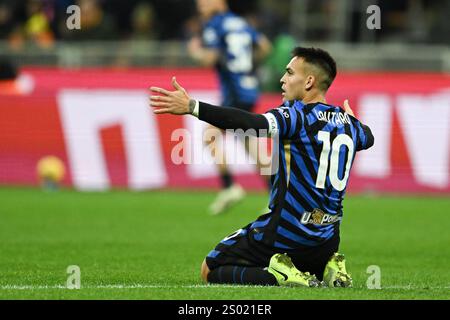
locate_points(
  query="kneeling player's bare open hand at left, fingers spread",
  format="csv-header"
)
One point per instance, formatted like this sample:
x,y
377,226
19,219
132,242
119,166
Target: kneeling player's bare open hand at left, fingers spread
x,y
174,102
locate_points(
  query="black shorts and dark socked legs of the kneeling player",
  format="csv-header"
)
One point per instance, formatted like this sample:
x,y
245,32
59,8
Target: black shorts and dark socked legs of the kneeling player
x,y
241,249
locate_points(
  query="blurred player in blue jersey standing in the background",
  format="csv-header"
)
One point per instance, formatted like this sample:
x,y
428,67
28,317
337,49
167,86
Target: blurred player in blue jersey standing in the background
x,y
231,46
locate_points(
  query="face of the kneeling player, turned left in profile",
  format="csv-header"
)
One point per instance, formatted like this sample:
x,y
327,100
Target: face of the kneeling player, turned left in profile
x,y
293,81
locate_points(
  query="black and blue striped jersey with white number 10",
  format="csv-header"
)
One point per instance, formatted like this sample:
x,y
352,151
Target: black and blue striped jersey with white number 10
x,y
317,146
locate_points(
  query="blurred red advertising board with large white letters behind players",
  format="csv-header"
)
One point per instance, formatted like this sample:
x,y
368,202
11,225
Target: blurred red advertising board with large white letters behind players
x,y
99,123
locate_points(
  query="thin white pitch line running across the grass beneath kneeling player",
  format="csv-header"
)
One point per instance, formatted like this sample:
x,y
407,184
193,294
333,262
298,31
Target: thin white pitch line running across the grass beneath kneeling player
x,y
148,286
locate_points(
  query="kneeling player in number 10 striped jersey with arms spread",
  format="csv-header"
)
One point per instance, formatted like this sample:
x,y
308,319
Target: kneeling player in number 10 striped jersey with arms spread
x,y
297,242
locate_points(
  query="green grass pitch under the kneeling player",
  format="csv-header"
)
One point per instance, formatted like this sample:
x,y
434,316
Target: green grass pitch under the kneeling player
x,y
149,245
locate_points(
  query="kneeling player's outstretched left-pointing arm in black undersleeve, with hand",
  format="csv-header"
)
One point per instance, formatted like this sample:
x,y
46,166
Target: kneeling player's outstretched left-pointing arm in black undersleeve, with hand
x,y
179,102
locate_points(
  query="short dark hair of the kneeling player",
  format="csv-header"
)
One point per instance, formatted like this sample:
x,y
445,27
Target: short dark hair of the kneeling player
x,y
321,59
